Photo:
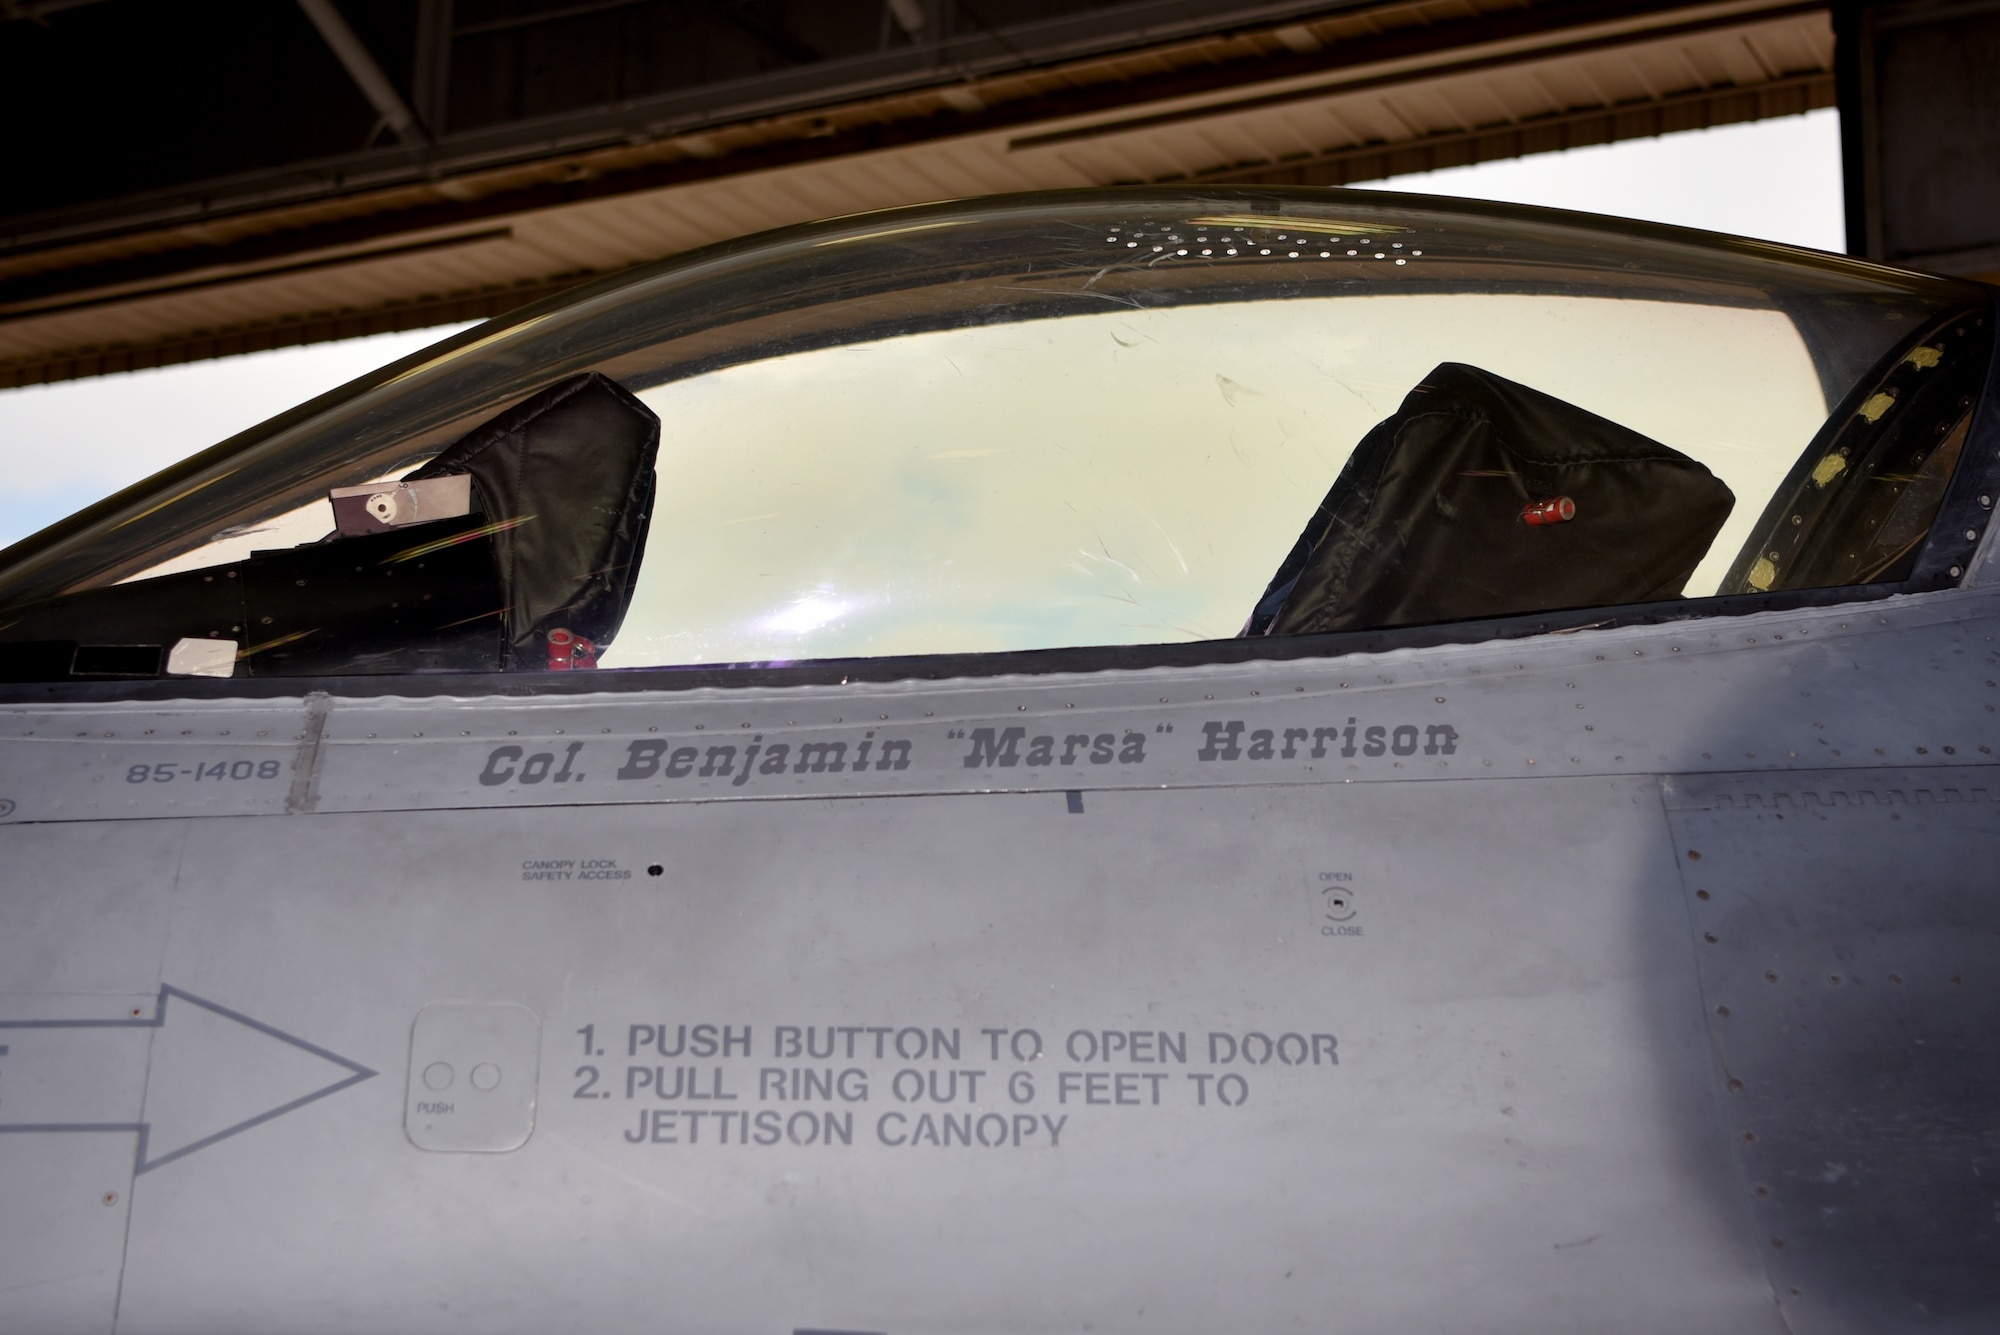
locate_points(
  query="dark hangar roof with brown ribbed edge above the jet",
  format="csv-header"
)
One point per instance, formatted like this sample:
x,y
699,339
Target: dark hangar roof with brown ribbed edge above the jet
x,y
491,173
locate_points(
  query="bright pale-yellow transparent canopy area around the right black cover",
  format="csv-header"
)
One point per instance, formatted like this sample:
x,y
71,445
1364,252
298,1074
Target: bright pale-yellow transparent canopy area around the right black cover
x,y
1129,477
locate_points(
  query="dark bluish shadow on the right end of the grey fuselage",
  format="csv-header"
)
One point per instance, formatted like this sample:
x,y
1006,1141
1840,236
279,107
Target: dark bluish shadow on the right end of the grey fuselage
x,y
1847,938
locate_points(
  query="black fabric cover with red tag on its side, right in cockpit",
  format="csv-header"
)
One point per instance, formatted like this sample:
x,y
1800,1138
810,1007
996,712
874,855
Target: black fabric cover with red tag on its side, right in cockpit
x,y
1425,523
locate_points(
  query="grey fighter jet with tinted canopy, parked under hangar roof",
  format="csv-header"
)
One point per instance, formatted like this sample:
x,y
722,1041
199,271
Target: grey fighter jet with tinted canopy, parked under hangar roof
x,y
1139,760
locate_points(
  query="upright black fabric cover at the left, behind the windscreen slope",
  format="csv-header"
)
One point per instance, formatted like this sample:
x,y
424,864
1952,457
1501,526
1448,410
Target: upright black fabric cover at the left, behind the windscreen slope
x,y
573,471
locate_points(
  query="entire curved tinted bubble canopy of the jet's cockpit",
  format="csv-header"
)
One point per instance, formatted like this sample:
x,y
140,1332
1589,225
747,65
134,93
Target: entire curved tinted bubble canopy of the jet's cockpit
x,y
1099,419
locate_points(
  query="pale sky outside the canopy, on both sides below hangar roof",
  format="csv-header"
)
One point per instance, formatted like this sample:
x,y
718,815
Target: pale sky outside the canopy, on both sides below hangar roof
x,y
69,445
